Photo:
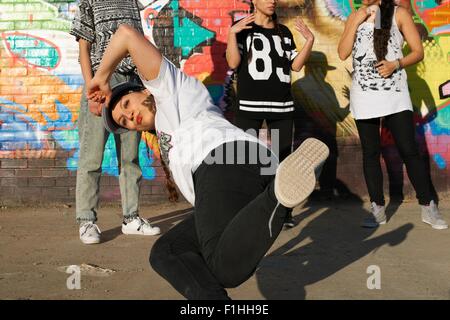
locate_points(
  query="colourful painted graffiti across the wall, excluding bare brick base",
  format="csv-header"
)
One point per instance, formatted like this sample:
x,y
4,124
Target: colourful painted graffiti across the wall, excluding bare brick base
x,y
41,83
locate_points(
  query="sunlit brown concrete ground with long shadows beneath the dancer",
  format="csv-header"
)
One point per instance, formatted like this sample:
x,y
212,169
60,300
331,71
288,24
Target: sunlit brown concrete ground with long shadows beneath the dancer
x,y
326,256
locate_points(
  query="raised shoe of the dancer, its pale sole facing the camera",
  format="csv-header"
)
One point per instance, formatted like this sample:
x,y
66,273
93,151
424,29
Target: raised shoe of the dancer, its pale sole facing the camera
x,y
296,175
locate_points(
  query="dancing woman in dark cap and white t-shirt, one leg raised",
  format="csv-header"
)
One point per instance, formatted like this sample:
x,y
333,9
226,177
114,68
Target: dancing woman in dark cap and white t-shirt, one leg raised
x,y
227,175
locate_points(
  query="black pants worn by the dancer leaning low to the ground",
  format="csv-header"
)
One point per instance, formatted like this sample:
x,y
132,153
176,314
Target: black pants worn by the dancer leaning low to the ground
x,y
220,245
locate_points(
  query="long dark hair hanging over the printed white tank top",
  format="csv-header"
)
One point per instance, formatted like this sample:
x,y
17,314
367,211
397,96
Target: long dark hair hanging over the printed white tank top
x,y
381,36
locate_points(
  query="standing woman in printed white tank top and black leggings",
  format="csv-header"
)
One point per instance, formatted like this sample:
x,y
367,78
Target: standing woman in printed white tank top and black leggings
x,y
374,36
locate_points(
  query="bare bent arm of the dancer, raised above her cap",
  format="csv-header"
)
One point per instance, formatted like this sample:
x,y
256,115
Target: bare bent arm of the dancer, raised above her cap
x,y
126,41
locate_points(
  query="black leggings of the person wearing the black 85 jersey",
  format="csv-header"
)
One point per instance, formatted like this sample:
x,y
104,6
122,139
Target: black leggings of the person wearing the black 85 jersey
x,y
283,125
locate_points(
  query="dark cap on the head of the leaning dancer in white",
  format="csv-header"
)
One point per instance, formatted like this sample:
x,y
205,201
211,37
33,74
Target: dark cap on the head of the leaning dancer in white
x,y
118,91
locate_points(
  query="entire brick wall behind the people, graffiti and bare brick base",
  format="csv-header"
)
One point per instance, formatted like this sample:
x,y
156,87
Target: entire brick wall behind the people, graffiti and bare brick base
x,y
41,84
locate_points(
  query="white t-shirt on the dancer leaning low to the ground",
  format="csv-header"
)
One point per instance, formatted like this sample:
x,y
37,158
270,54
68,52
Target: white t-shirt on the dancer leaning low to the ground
x,y
188,124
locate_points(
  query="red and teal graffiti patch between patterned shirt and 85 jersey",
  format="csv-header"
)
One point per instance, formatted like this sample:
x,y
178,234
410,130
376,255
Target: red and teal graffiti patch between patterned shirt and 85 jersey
x,y
199,31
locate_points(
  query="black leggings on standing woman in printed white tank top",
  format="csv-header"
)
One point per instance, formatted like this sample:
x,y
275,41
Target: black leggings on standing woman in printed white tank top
x,y
401,126
